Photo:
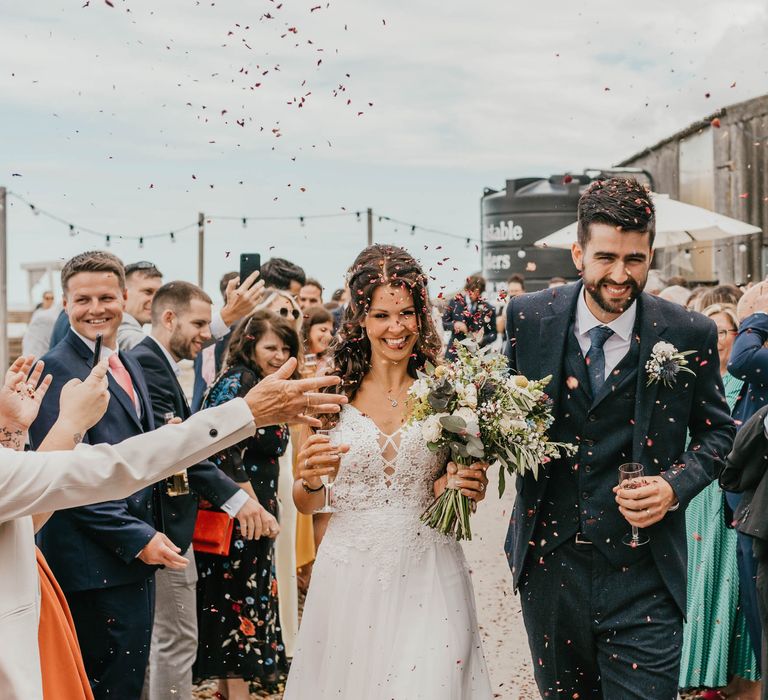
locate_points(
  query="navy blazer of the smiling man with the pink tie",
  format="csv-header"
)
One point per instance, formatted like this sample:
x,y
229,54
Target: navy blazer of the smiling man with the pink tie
x,y
96,546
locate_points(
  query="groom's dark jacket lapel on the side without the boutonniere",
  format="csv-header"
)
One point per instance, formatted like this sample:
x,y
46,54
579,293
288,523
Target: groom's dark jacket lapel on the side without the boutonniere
x,y
553,336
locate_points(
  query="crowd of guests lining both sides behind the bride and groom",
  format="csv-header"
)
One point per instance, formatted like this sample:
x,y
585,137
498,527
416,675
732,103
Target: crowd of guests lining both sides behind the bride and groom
x,y
153,615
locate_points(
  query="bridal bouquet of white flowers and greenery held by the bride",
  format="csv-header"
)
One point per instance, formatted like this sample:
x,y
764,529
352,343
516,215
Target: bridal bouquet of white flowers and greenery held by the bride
x,y
479,412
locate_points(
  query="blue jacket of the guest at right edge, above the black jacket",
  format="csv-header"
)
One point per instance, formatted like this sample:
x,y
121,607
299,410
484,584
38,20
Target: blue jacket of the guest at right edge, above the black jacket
x,y
749,361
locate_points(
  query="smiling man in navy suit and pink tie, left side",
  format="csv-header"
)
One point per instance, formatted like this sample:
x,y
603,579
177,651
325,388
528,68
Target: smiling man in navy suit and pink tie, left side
x,y
104,555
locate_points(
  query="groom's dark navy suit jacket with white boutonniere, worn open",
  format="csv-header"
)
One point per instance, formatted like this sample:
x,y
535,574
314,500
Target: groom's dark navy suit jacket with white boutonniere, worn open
x,y
538,325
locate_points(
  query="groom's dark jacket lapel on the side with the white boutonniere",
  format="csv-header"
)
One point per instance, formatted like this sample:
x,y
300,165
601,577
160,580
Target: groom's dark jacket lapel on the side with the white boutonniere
x,y
652,327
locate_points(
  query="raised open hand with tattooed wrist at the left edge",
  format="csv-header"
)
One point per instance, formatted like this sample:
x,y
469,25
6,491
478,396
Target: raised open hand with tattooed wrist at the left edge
x,y
22,393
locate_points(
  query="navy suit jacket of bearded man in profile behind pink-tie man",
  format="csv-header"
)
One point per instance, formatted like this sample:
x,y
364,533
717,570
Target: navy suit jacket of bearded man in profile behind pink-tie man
x,y
205,479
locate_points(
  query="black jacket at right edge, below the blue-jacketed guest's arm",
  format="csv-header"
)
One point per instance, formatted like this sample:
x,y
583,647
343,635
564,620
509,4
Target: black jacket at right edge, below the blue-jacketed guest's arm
x,y
745,472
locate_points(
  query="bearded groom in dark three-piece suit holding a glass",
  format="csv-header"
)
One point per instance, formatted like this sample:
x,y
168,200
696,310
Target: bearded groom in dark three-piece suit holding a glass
x,y
604,619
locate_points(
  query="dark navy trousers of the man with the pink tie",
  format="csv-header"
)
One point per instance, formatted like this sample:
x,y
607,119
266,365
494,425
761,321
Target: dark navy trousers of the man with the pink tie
x,y
114,628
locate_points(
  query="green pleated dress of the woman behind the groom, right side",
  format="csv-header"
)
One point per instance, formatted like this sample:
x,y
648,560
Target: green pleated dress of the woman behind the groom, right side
x,y
716,642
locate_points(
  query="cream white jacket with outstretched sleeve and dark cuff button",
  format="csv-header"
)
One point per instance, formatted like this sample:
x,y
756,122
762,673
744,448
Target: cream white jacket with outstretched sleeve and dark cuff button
x,y
32,482
